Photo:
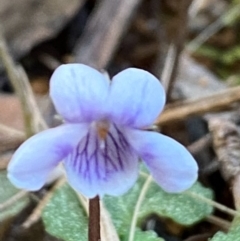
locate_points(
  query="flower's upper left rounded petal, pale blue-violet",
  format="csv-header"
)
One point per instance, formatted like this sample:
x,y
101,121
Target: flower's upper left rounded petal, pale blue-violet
x,y
79,92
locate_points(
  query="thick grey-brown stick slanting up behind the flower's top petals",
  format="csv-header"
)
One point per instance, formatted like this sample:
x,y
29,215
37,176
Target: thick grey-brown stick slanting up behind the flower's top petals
x,y
101,36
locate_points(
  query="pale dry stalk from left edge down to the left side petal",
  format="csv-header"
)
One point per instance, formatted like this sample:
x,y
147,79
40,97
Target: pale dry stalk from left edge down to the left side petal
x,y
32,117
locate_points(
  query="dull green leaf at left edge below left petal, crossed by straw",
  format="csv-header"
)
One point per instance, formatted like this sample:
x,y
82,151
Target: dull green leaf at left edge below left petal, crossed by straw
x,y
7,190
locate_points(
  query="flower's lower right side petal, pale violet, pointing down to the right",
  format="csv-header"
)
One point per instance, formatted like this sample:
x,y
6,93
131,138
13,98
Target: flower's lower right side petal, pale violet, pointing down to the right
x,y
170,164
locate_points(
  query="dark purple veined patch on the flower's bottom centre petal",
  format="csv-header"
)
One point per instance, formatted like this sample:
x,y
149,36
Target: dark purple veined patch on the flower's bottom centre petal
x,y
95,161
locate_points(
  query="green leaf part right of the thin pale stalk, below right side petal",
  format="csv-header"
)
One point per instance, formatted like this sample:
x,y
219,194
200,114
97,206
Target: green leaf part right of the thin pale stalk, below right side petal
x,y
180,207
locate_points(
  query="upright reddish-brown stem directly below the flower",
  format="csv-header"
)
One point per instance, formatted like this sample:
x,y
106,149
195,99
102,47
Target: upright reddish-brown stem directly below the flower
x,y
94,220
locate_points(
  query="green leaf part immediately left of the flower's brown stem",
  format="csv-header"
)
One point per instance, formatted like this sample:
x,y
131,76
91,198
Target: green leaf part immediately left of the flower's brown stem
x,y
64,217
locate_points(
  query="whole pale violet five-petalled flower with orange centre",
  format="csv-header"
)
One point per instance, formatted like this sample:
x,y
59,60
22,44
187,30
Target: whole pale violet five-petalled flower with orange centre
x,y
103,136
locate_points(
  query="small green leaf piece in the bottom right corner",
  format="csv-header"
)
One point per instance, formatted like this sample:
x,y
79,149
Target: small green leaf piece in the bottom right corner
x,y
232,235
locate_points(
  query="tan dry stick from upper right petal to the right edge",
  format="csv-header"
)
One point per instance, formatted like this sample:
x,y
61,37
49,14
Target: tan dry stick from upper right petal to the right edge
x,y
185,109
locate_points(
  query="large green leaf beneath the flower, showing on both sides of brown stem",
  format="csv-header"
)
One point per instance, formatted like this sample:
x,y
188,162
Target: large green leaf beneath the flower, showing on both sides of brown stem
x,y
65,218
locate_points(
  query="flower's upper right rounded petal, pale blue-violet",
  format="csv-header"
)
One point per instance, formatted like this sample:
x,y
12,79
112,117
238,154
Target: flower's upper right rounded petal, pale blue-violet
x,y
136,98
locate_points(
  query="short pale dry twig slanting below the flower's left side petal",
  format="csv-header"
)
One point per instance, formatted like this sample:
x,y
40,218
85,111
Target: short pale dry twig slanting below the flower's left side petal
x,y
36,214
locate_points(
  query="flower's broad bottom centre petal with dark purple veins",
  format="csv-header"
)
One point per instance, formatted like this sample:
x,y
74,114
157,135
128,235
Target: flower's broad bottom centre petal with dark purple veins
x,y
99,167
